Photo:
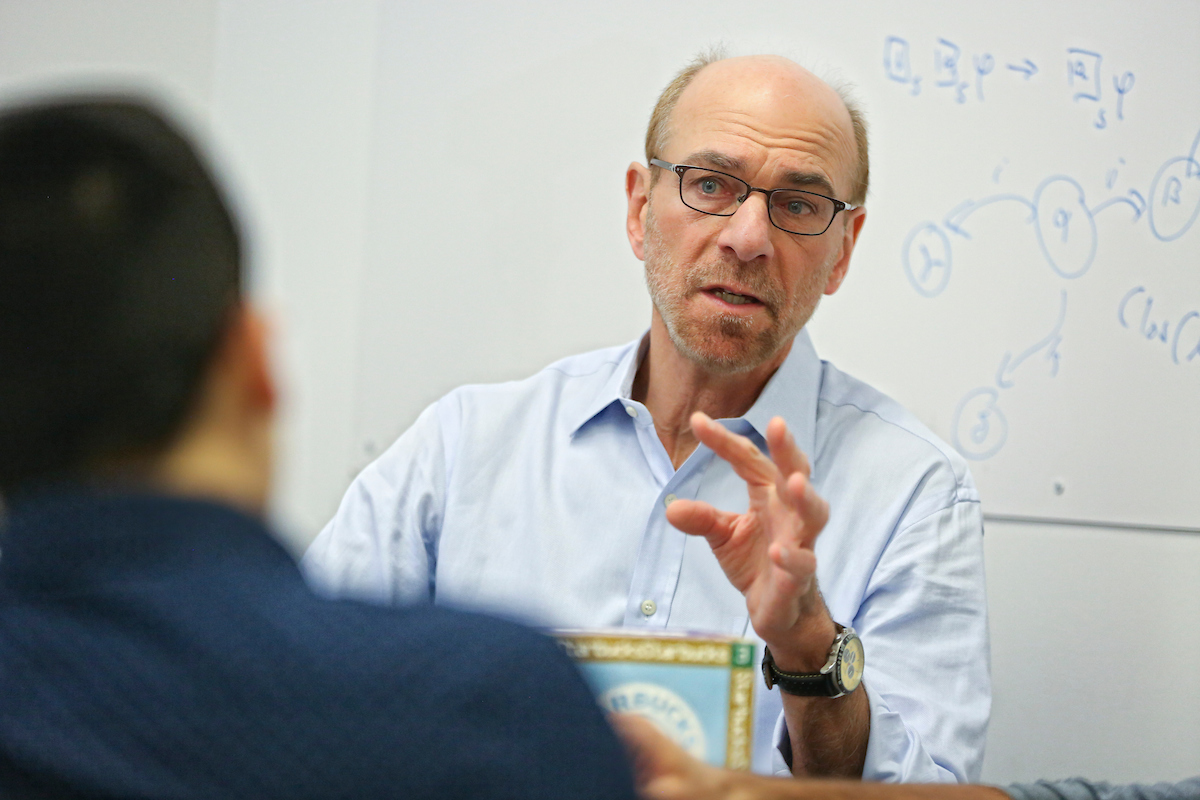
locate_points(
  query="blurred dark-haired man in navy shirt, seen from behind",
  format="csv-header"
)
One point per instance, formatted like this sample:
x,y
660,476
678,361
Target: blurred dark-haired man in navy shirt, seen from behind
x,y
155,640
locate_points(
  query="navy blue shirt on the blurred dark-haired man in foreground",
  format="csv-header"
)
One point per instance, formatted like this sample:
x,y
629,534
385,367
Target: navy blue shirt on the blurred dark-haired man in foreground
x,y
169,648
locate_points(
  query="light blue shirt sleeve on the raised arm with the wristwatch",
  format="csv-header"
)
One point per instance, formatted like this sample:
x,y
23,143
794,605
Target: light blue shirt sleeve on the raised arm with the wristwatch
x,y
929,706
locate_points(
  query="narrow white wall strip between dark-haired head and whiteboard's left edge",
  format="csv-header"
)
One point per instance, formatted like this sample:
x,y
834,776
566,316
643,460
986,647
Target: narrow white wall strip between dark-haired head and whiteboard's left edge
x,y
292,111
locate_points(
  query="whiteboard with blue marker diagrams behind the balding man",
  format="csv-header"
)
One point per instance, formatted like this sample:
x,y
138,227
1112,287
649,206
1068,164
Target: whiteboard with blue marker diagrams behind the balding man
x,y
1028,281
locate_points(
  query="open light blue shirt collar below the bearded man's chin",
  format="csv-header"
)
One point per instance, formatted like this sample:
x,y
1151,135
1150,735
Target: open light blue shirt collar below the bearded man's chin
x,y
791,393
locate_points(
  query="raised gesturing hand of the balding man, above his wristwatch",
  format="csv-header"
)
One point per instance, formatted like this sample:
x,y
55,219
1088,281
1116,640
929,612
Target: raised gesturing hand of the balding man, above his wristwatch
x,y
766,552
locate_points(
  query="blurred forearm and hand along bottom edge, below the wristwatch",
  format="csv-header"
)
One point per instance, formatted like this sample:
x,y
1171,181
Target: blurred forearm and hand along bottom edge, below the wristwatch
x,y
664,772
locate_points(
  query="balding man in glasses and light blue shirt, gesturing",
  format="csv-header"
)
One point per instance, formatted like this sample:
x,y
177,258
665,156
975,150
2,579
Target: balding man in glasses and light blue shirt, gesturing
x,y
562,498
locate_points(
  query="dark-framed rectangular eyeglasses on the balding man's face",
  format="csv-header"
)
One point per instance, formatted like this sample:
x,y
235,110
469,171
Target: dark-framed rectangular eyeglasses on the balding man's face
x,y
722,195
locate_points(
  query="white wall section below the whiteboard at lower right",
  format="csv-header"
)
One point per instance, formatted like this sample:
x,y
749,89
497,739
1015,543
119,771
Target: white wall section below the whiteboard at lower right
x,y
1096,640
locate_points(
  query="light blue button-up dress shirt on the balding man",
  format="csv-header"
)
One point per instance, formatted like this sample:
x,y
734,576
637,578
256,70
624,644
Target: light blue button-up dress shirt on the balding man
x,y
544,501
